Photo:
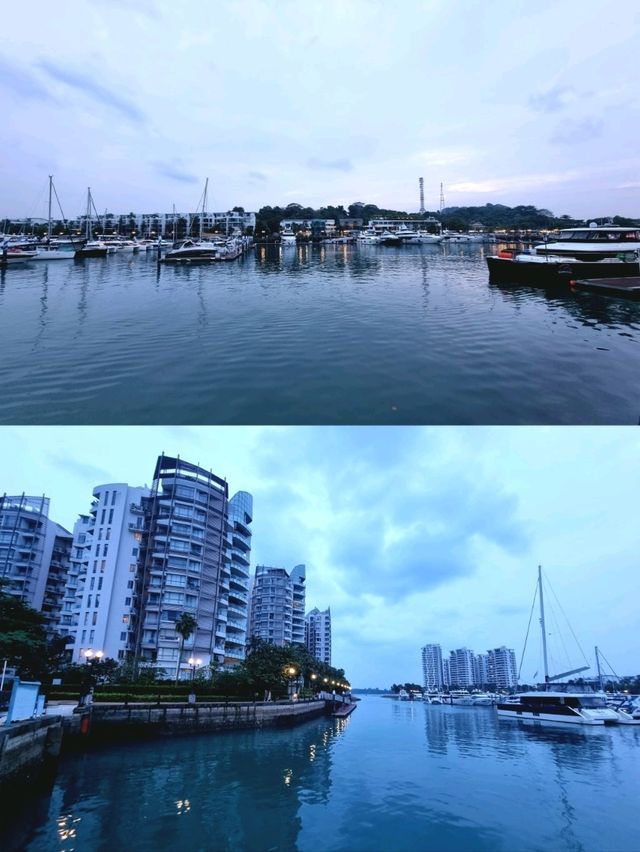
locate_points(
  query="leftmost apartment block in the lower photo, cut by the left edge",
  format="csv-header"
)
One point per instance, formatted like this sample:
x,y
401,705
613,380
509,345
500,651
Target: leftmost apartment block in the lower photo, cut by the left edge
x,y
34,555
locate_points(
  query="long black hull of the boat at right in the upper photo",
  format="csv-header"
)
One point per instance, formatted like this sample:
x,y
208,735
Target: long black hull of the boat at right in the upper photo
x,y
508,271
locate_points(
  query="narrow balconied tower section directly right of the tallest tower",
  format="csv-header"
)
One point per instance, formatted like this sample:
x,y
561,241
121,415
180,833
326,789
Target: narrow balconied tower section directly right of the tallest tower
x,y
236,596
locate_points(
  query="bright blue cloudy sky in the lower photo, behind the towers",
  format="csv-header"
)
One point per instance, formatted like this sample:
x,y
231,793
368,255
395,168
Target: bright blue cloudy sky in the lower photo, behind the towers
x,y
411,535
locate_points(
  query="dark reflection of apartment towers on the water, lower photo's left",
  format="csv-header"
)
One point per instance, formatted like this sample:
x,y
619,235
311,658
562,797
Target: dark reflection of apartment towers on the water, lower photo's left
x,y
222,786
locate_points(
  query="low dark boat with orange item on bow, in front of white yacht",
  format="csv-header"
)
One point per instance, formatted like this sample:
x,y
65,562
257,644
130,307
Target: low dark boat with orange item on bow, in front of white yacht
x,y
543,270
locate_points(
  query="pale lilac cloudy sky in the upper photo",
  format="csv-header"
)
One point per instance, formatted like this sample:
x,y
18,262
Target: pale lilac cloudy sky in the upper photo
x,y
326,102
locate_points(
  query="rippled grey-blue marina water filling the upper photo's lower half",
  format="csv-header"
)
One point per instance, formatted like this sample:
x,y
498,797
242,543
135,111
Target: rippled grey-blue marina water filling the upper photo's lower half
x,y
336,334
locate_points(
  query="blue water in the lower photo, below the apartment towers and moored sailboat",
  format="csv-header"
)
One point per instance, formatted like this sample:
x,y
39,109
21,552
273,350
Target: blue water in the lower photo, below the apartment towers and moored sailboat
x,y
393,776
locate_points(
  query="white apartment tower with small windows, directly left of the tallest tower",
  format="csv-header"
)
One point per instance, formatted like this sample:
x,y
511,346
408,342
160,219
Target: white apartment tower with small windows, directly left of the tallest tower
x,y
104,577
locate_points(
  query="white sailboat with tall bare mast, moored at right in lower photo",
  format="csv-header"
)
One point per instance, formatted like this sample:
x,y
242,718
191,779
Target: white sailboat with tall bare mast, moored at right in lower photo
x,y
547,705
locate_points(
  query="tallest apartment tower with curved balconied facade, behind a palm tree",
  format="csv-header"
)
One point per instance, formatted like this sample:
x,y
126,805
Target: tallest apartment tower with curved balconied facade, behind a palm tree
x,y
185,568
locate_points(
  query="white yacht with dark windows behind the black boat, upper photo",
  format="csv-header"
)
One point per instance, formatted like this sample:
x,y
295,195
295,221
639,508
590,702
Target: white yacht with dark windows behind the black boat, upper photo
x,y
592,243
